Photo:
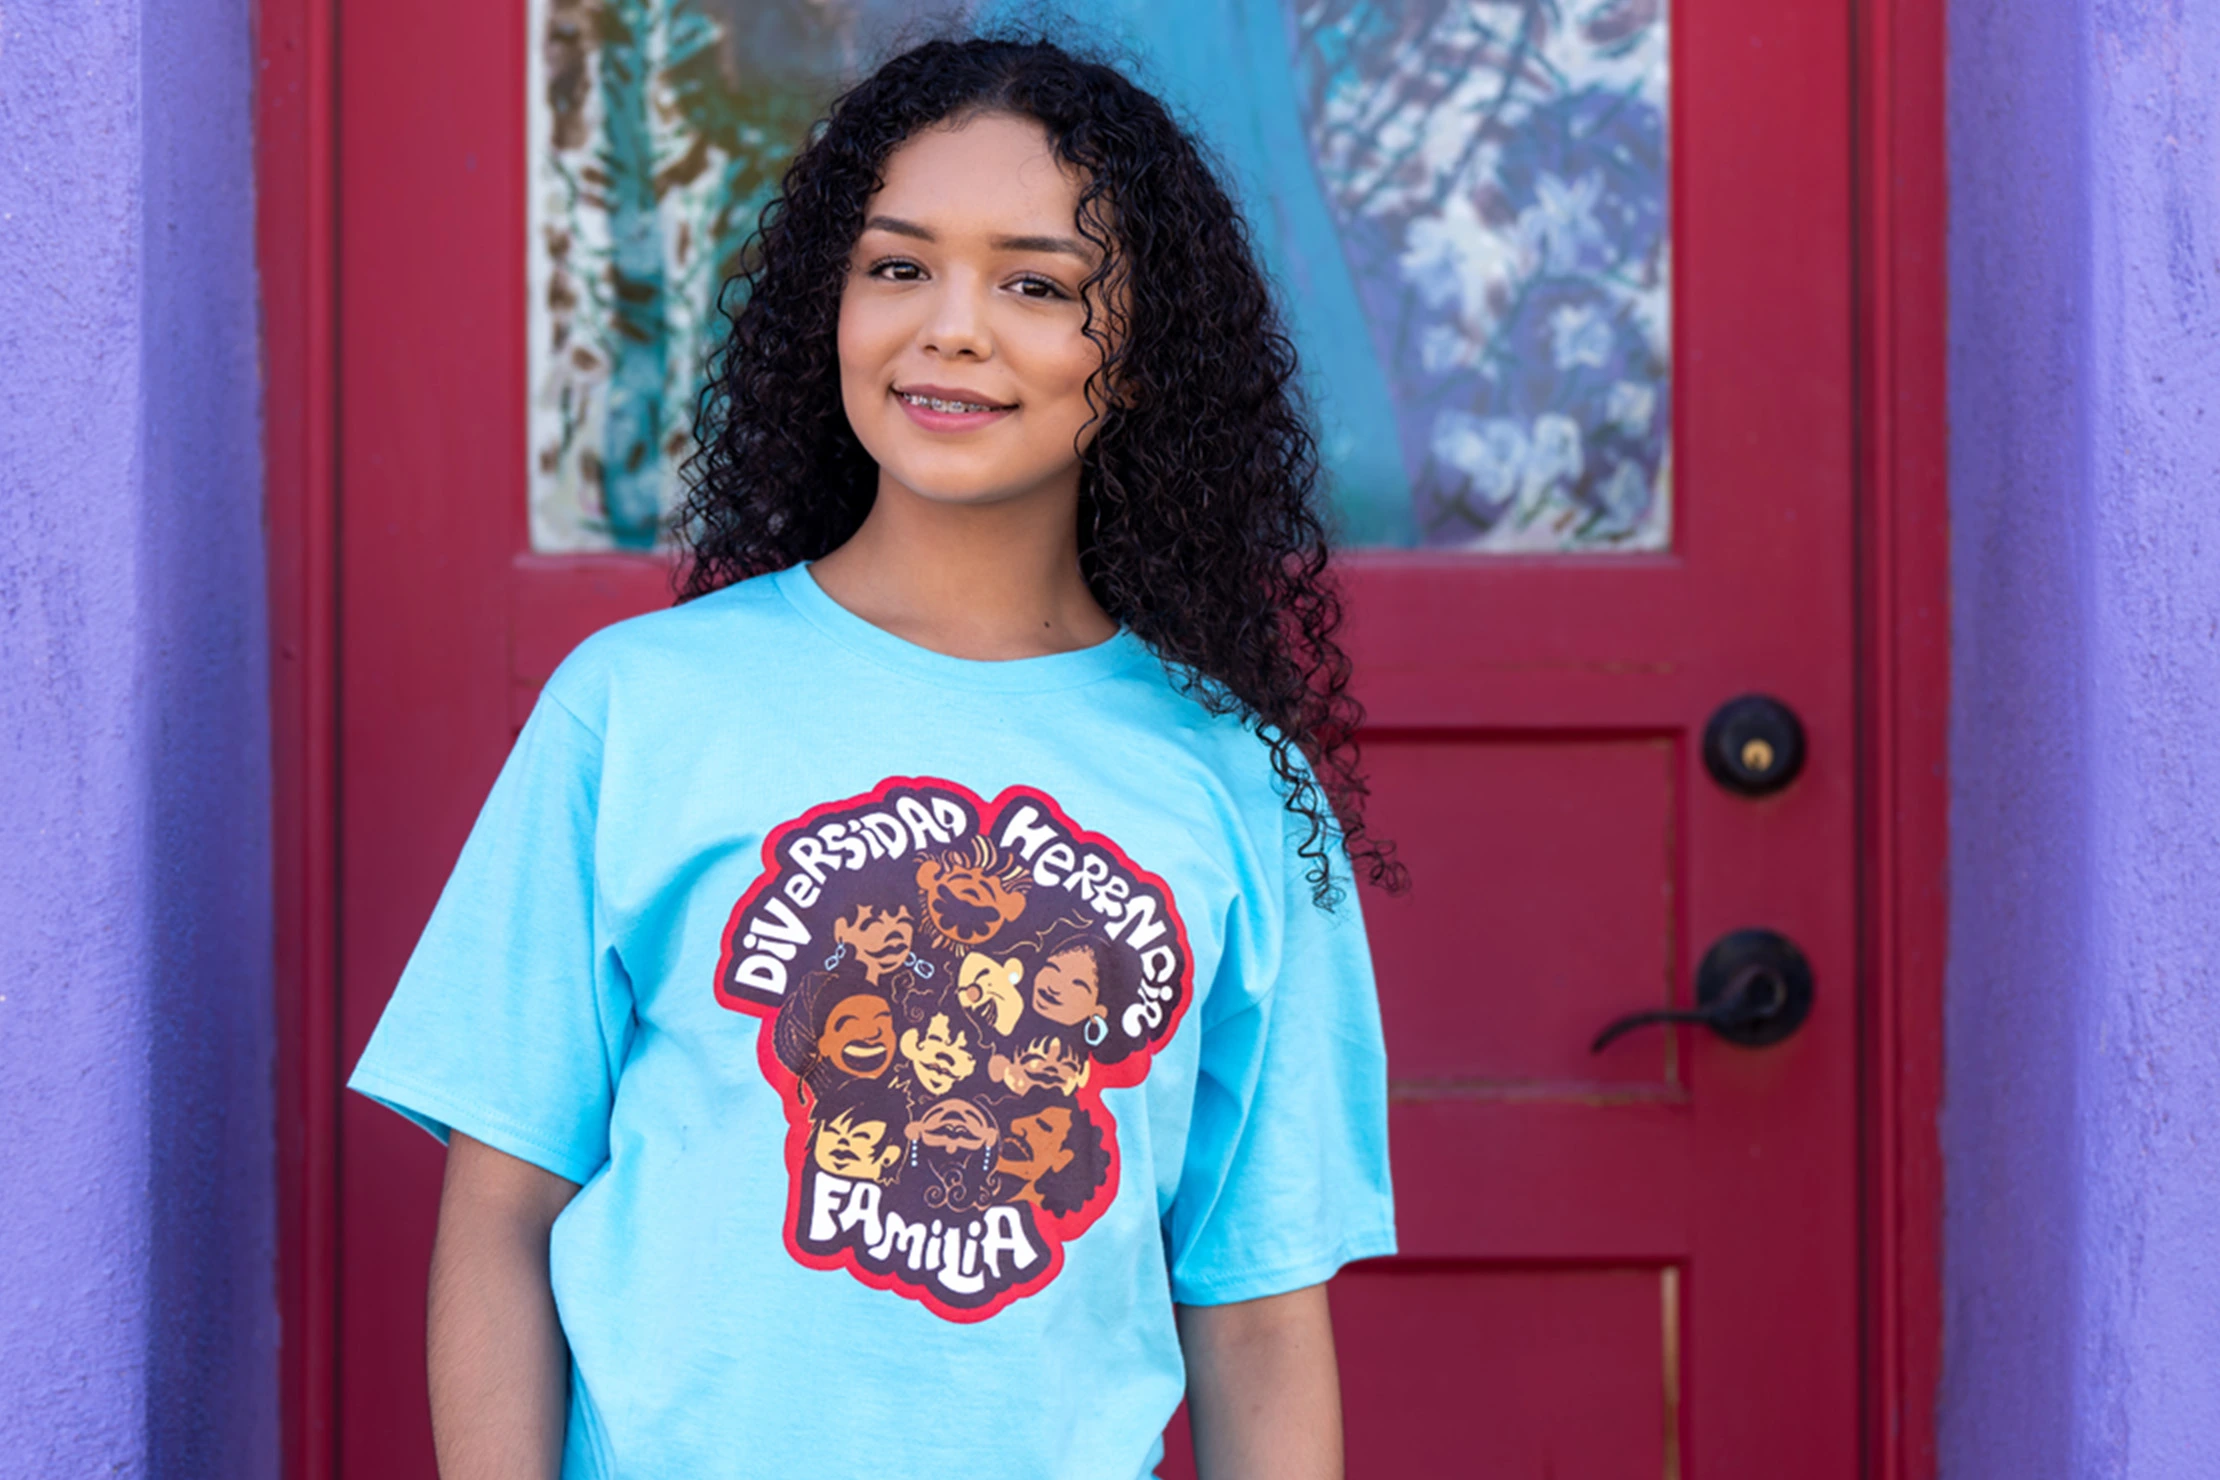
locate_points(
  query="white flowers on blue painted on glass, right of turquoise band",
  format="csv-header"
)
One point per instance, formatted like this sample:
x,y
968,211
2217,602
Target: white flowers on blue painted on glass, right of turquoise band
x,y
1497,172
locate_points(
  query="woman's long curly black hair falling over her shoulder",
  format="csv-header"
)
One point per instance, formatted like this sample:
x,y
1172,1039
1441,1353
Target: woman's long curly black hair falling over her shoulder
x,y
1200,520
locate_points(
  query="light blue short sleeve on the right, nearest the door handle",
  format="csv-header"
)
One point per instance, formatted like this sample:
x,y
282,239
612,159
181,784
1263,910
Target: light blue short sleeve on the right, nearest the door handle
x,y
1286,1170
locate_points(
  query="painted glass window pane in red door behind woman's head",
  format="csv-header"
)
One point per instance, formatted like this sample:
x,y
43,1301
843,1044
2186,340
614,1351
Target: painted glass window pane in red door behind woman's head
x,y
1464,205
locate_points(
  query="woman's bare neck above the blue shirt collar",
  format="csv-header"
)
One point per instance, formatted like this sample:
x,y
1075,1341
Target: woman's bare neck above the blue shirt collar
x,y
969,580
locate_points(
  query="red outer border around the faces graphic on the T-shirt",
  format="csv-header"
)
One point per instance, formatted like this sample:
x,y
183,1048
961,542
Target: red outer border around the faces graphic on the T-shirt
x,y
1124,1075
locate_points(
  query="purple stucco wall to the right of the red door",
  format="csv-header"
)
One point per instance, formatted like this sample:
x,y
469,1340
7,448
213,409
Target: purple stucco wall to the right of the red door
x,y
2083,1066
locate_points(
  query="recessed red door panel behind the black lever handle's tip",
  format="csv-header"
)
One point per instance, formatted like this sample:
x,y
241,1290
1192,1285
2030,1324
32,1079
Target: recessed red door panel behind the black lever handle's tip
x,y
1491,995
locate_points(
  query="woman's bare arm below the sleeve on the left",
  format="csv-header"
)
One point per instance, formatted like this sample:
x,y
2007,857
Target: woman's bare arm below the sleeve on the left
x,y
501,1372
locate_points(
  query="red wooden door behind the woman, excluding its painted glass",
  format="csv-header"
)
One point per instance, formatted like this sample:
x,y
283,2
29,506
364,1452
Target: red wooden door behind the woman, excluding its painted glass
x,y
1624,1264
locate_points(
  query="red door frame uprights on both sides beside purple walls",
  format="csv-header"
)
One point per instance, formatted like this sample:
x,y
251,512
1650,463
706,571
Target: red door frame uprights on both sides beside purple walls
x,y
1904,702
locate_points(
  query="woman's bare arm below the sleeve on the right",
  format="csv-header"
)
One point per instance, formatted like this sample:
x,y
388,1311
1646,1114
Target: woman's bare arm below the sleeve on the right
x,y
1264,1397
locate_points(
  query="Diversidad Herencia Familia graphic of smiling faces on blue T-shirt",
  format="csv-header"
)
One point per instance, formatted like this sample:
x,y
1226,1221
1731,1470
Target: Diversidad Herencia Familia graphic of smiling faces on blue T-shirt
x,y
947,989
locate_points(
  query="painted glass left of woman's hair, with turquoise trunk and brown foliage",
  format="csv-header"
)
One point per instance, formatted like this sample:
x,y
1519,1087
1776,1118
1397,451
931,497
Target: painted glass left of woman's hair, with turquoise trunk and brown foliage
x,y
658,132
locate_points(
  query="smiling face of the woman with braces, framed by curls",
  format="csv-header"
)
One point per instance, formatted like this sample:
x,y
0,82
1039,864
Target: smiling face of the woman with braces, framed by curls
x,y
962,356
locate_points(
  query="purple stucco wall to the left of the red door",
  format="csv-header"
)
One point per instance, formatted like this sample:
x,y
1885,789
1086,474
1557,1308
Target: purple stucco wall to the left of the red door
x,y
137,1157
